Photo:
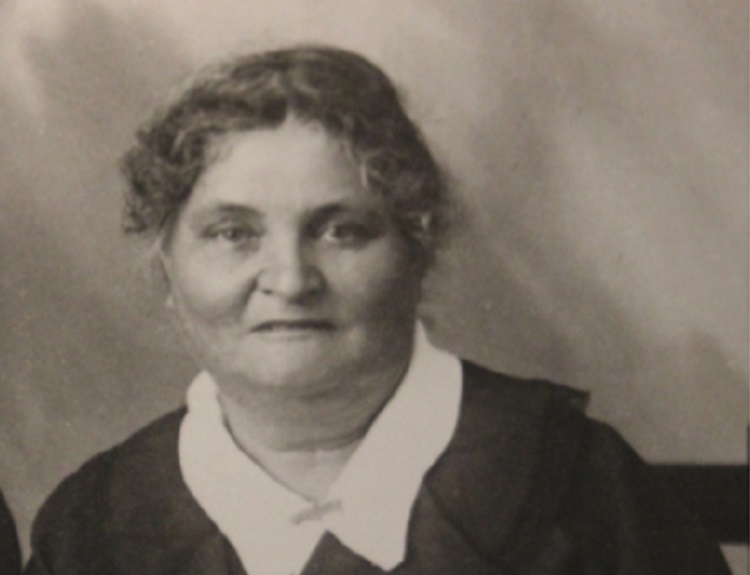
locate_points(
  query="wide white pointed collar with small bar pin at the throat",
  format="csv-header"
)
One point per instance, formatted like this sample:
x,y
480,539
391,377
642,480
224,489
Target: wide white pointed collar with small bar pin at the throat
x,y
275,530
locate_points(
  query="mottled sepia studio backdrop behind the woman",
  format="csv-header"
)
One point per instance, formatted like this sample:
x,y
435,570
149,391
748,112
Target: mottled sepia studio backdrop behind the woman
x,y
600,150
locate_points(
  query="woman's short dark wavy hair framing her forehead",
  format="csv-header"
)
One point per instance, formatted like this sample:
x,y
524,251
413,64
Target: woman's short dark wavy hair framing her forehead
x,y
344,93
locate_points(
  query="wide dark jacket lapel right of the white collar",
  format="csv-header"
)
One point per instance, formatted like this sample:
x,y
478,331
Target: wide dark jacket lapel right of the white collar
x,y
467,518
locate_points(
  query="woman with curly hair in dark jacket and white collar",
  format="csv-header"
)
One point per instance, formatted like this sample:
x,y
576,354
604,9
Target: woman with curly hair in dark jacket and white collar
x,y
296,209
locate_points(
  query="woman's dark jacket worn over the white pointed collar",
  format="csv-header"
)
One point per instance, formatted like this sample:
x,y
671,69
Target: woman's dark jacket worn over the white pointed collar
x,y
528,485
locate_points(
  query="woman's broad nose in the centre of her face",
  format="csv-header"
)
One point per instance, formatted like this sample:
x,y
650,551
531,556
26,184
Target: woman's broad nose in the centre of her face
x,y
290,273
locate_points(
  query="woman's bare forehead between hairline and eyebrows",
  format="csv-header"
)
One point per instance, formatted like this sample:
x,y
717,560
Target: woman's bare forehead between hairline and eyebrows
x,y
295,166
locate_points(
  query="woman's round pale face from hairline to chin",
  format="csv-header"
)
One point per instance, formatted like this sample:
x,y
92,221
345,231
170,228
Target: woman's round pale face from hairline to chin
x,y
285,271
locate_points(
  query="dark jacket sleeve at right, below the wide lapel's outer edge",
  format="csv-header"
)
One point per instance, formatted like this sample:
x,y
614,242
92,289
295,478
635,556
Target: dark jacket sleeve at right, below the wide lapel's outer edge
x,y
626,522
